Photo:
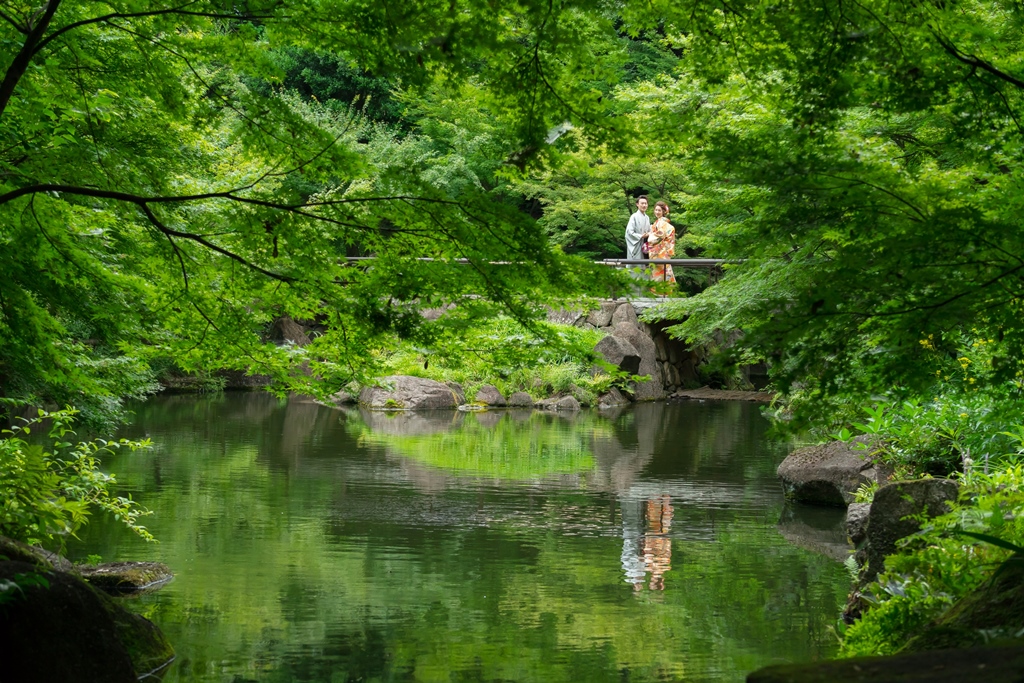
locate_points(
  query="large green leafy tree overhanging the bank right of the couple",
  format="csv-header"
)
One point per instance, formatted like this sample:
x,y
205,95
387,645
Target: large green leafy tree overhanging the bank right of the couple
x,y
866,161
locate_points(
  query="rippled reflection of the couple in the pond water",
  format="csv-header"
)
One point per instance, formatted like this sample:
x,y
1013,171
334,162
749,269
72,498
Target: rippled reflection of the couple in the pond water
x,y
647,546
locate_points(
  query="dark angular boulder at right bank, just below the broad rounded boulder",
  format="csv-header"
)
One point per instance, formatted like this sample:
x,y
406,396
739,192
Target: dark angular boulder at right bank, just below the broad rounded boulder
x,y
891,518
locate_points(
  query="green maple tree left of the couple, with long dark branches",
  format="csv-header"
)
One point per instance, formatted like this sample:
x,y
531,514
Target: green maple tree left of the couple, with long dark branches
x,y
163,193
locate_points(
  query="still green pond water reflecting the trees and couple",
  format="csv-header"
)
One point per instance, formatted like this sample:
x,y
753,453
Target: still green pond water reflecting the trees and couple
x,y
313,544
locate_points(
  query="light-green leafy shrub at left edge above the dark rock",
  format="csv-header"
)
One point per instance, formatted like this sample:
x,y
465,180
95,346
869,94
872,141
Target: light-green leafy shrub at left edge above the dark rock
x,y
49,492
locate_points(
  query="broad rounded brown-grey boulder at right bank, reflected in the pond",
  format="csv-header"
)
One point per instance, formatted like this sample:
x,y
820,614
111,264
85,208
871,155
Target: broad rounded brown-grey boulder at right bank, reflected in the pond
x,y
831,474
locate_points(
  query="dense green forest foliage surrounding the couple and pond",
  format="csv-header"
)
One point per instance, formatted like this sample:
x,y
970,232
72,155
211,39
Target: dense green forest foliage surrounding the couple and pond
x,y
177,179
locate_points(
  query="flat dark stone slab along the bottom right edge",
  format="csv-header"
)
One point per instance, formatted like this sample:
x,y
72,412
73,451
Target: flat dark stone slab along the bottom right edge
x,y
992,665
